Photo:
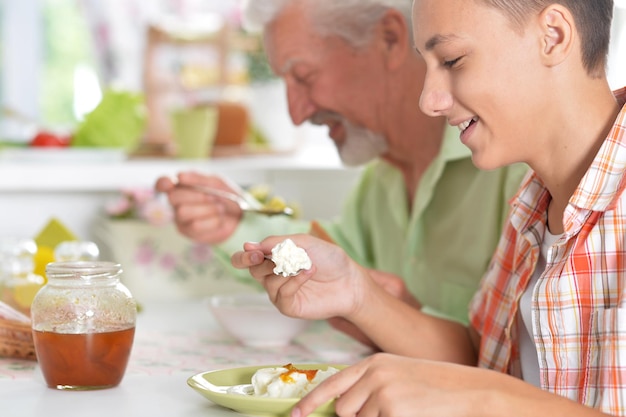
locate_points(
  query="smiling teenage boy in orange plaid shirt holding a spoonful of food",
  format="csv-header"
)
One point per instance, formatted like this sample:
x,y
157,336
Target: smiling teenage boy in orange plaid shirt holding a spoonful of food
x,y
525,82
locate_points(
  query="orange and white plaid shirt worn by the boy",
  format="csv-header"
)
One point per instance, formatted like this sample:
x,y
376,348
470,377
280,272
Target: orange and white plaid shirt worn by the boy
x,y
579,302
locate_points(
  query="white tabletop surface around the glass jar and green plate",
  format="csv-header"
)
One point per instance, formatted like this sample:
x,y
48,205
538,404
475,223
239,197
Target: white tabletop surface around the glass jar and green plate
x,y
173,342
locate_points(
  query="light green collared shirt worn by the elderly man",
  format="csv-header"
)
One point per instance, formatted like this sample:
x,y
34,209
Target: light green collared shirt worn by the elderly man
x,y
441,249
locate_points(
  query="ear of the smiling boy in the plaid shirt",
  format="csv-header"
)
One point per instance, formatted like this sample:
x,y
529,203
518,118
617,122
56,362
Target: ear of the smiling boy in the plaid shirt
x,y
558,34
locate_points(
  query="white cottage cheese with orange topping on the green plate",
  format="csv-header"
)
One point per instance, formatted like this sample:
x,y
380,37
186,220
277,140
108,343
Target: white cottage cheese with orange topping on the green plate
x,y
288,381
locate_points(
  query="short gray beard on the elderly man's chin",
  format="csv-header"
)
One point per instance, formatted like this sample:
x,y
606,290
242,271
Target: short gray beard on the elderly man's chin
x,y
361,145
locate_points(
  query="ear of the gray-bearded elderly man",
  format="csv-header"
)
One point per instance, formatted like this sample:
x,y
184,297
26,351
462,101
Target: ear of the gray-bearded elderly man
x,y
394,36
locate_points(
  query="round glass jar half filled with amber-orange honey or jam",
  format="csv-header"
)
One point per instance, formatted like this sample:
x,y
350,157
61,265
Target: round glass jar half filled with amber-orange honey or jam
x,y
83,324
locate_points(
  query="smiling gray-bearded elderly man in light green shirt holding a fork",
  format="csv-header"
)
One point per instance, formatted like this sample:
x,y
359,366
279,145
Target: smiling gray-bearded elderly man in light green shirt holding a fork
x,y
421,210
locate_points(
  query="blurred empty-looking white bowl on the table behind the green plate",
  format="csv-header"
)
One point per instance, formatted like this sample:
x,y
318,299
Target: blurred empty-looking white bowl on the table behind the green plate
x,y
253,320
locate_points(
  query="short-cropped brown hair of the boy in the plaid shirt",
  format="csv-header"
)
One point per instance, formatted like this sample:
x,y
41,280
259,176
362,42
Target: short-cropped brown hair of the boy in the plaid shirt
x,y
592,18
